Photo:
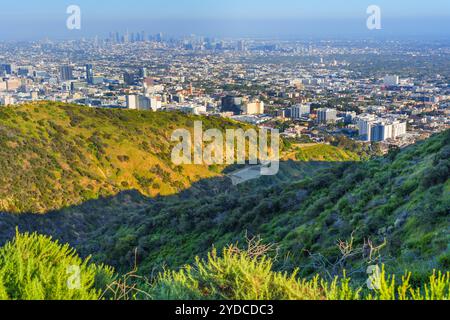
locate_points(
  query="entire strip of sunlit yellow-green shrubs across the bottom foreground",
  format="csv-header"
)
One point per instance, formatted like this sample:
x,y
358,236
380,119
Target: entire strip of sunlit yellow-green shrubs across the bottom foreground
x,y
33,267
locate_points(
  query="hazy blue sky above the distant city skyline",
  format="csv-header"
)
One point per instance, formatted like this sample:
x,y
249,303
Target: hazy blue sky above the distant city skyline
x,y
31,19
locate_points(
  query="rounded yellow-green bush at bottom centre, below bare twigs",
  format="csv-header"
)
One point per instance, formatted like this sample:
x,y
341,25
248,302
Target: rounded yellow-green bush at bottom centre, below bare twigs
x,y
234,276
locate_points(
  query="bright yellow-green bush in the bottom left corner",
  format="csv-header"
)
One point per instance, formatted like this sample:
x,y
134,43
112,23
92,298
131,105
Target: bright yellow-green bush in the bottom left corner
x,y
33,267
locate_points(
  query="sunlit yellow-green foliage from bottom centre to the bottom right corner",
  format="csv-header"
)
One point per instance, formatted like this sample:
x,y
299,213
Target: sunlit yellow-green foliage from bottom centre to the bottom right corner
x,y
238,276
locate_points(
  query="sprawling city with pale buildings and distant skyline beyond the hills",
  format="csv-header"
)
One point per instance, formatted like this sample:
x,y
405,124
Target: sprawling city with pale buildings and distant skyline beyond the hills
x,y
310,90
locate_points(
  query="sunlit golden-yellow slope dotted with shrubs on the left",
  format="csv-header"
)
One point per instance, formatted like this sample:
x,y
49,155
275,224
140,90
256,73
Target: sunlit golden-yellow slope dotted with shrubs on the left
x,y
55,156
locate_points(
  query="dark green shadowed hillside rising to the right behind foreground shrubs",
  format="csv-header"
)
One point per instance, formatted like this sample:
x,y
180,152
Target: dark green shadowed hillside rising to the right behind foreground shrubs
x,y
399,203
